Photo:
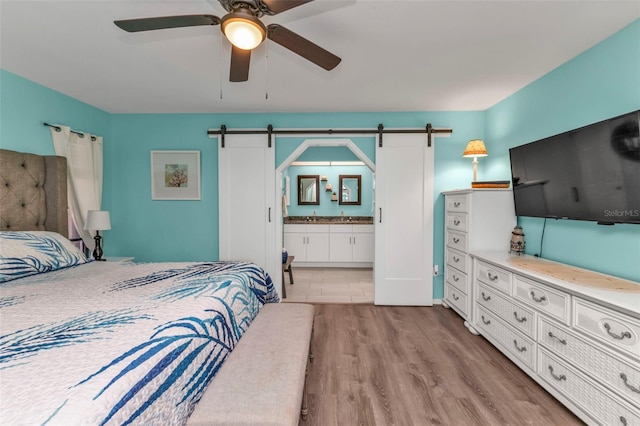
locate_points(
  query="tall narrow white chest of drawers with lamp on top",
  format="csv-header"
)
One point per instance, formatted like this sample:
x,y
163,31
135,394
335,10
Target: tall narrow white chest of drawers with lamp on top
x,y
474,219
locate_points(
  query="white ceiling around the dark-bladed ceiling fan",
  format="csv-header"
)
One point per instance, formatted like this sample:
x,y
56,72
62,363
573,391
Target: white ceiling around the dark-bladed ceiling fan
x,y
396,55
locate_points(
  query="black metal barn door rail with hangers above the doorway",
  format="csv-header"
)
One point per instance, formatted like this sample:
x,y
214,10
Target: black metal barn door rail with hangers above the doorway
x,y
428,129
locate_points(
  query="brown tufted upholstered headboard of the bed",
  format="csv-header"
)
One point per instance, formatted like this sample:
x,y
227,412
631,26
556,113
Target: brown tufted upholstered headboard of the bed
x,y
33,192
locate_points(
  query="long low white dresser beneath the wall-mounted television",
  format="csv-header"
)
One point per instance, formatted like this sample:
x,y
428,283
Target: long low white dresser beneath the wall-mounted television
x,y
580,342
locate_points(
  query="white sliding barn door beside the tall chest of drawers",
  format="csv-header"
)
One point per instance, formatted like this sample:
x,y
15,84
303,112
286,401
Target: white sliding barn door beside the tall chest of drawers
x,y
404,221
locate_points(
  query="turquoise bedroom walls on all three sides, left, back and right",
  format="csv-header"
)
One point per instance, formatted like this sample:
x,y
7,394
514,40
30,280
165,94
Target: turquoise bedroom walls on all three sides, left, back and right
x,y
600,83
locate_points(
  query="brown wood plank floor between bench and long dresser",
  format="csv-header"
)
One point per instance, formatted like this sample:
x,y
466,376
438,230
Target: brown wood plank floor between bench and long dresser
x,y
378,365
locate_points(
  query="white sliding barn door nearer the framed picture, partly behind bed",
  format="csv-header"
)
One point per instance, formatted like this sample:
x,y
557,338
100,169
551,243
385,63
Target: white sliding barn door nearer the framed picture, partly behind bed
x,y
246,173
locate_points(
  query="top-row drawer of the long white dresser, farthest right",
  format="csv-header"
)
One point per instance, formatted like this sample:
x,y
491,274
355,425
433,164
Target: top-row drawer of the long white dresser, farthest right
x,y
605,325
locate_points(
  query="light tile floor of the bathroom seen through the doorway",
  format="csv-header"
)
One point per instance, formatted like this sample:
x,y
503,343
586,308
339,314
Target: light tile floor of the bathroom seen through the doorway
x,y
330,285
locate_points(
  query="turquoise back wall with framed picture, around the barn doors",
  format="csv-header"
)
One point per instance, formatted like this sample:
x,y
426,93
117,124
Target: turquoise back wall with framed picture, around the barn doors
x,y
188,230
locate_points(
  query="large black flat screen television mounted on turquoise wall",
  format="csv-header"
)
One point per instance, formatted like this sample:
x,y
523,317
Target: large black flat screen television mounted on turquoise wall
x,y
591,173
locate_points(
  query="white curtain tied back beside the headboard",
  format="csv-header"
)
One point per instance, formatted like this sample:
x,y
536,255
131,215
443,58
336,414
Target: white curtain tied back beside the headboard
x,y
84,174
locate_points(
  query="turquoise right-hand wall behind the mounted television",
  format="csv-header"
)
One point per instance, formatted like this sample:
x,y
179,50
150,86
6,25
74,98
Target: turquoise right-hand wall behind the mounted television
x,y
602,82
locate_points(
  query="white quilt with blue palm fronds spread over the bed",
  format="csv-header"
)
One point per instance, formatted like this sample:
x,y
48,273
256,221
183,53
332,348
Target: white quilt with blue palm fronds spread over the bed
x,y
109,343
